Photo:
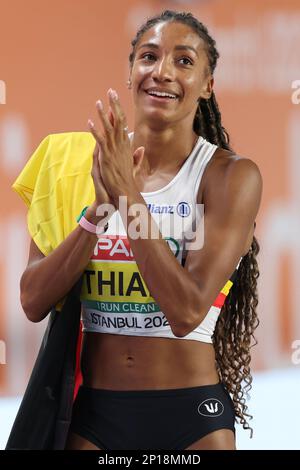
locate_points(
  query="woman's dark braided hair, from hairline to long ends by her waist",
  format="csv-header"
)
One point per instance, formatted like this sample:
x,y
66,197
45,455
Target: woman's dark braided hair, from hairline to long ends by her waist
x,y
234,333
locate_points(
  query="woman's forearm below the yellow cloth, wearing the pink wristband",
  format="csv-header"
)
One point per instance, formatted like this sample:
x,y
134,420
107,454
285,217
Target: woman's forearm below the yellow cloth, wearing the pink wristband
x,y
49,279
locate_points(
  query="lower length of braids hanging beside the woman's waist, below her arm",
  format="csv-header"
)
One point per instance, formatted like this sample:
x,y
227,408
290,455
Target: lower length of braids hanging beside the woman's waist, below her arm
x,y
234,333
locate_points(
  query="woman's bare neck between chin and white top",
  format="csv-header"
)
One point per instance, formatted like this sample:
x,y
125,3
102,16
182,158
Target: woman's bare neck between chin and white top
x,y
165,149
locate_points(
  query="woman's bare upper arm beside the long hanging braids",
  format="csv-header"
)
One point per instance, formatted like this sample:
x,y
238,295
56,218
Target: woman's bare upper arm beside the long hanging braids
x,y
231,202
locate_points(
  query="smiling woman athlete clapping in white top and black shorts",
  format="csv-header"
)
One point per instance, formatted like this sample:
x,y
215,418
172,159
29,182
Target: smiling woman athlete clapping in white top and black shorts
x,y
167,330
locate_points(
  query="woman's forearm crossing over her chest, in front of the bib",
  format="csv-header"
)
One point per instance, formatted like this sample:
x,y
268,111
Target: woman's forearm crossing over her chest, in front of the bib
x,y
168,282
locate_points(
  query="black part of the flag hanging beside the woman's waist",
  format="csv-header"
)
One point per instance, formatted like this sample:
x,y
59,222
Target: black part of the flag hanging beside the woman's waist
x,y
43,419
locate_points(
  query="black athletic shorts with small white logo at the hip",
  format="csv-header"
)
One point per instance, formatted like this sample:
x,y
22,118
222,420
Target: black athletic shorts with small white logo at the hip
x,y
151,419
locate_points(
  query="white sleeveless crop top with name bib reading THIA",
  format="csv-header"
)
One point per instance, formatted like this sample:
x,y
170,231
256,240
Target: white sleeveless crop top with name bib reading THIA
x,y
115,299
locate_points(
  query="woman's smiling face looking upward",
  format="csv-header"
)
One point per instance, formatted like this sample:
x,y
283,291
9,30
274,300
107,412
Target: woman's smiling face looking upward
x,y
169,73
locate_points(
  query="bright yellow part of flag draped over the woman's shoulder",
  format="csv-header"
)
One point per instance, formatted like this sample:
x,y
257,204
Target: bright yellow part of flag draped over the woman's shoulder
x,y
56,184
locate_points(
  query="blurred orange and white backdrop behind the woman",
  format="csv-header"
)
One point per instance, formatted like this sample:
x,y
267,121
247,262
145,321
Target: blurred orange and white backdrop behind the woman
x,y
58,57
